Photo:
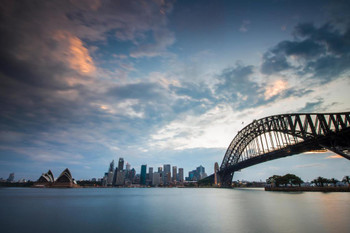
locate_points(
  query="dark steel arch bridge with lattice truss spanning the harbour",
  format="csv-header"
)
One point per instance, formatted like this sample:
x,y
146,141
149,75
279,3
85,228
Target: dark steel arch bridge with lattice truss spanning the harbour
x,y
284,135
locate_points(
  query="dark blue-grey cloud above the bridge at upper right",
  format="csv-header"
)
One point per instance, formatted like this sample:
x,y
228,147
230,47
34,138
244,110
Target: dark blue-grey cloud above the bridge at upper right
x,y
322,53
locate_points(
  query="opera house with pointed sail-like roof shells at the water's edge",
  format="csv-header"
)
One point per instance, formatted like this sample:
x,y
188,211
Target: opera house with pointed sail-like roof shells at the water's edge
x,y
65,180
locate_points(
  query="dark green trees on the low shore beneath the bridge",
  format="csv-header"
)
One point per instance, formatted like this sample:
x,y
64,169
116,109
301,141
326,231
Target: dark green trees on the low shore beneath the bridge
x,y
293,180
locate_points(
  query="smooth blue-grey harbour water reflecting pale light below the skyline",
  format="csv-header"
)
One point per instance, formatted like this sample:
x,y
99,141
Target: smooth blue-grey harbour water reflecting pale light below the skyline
x,y
171,210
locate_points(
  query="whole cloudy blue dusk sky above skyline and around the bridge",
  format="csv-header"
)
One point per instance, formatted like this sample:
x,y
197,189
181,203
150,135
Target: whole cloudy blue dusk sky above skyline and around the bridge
x,y
164,82
